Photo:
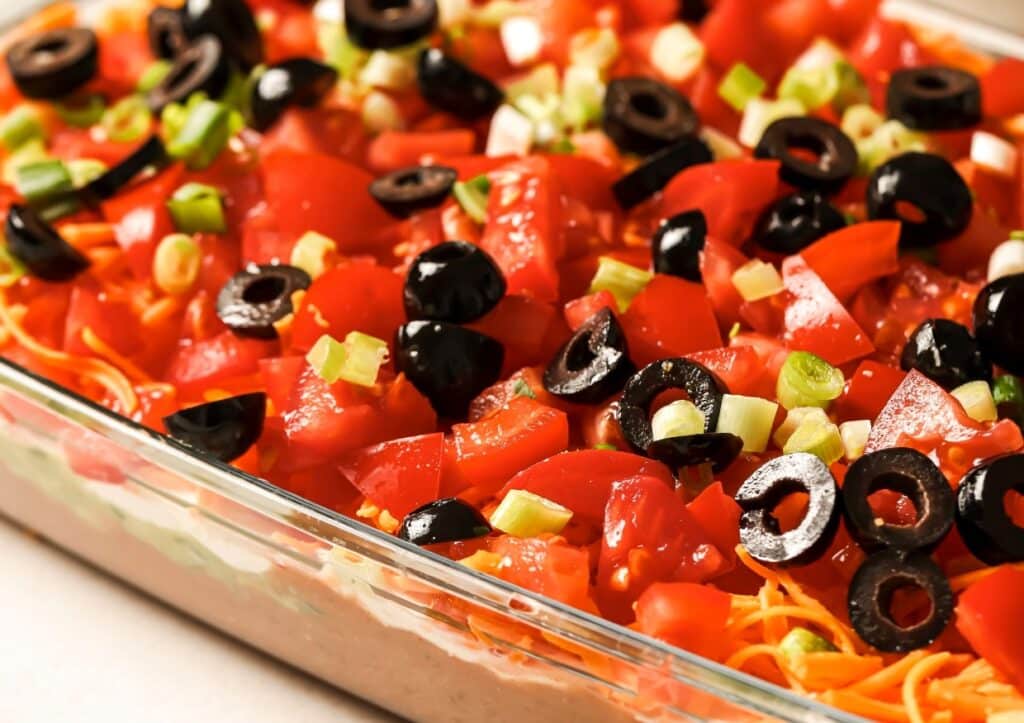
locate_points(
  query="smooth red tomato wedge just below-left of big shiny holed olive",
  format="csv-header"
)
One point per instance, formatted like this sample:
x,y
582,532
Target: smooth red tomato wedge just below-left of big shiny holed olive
x,y
851,258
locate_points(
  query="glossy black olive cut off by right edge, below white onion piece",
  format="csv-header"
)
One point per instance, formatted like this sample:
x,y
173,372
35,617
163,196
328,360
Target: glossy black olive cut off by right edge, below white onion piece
x,y
999,324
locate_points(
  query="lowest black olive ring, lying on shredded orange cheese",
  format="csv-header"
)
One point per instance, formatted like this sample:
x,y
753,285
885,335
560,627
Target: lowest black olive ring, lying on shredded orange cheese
x,y
871,596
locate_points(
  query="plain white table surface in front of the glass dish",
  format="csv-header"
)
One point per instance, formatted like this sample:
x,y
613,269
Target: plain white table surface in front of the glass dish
x,y
78,647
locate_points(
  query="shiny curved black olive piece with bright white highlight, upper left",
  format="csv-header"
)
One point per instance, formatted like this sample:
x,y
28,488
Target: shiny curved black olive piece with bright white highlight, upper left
x,y
297,81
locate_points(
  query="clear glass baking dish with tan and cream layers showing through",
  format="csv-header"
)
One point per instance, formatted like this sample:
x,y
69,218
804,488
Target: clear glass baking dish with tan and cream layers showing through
x,y
408,630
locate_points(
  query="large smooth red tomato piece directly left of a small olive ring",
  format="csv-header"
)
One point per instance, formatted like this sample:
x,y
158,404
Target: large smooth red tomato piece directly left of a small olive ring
x,y
314,192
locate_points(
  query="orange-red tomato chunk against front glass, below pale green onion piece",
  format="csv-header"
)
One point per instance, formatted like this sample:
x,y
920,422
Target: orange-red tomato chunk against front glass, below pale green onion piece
x,y
548,567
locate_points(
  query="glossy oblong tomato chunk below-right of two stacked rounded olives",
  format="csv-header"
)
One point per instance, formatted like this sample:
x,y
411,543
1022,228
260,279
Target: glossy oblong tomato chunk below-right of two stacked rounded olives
x,y
492,451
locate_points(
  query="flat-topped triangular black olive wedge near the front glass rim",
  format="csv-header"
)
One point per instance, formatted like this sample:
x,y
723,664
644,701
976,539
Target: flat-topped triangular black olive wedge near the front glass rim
x,y
224,430
